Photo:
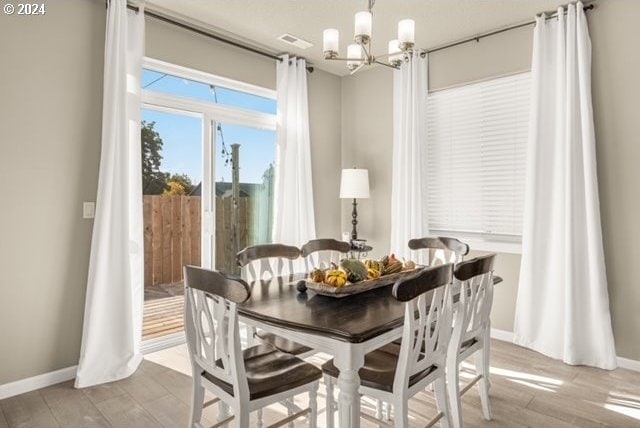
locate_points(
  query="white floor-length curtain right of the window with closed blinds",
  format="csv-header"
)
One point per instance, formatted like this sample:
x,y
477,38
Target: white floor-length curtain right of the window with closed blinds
x,y
562,308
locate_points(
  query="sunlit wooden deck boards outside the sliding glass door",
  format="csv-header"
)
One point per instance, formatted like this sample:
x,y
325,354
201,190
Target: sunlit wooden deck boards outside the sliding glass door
x,y
163,312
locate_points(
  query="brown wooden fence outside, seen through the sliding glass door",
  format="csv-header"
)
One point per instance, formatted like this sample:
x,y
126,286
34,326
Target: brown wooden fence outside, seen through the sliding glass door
x,y
172,235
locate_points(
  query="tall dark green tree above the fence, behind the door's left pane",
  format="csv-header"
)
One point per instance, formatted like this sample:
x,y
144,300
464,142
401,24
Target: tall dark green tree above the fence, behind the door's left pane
x,y
154,181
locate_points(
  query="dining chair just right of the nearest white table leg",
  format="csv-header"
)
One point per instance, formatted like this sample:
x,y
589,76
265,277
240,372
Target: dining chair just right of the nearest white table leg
x,y
396,372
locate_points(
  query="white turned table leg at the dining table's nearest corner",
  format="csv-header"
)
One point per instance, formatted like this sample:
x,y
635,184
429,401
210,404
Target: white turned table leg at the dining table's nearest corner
x,y
349,362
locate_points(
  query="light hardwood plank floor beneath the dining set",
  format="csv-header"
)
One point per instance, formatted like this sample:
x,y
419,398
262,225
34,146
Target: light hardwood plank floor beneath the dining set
x,y
528,390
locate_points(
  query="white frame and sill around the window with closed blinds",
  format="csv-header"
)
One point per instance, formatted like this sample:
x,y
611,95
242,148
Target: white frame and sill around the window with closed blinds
x,y
511,244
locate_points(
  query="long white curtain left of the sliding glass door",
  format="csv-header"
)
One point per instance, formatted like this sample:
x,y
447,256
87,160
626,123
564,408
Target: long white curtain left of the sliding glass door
x,y
113,308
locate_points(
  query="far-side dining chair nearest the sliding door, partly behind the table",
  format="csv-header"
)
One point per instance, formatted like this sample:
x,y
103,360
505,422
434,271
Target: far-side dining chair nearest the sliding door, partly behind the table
x,y
270,260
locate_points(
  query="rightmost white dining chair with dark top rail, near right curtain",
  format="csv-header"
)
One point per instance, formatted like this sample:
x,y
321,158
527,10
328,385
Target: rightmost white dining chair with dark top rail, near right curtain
x,y
471,332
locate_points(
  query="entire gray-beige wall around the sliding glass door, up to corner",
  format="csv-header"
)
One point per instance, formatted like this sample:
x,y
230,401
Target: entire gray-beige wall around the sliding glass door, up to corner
x,y
50,122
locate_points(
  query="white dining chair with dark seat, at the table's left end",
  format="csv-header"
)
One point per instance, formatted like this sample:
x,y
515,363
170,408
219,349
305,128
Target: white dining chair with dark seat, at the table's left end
x,y
243,380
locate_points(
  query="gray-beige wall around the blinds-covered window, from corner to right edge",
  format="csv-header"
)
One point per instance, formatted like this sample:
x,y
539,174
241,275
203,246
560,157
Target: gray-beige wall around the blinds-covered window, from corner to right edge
x,y
367,141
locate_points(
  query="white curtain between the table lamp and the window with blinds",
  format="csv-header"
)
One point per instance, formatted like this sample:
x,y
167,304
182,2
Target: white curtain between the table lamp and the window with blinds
x,y
408,185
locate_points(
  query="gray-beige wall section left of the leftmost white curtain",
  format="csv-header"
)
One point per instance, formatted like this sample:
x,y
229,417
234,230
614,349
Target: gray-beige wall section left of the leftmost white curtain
x,y
50,118
